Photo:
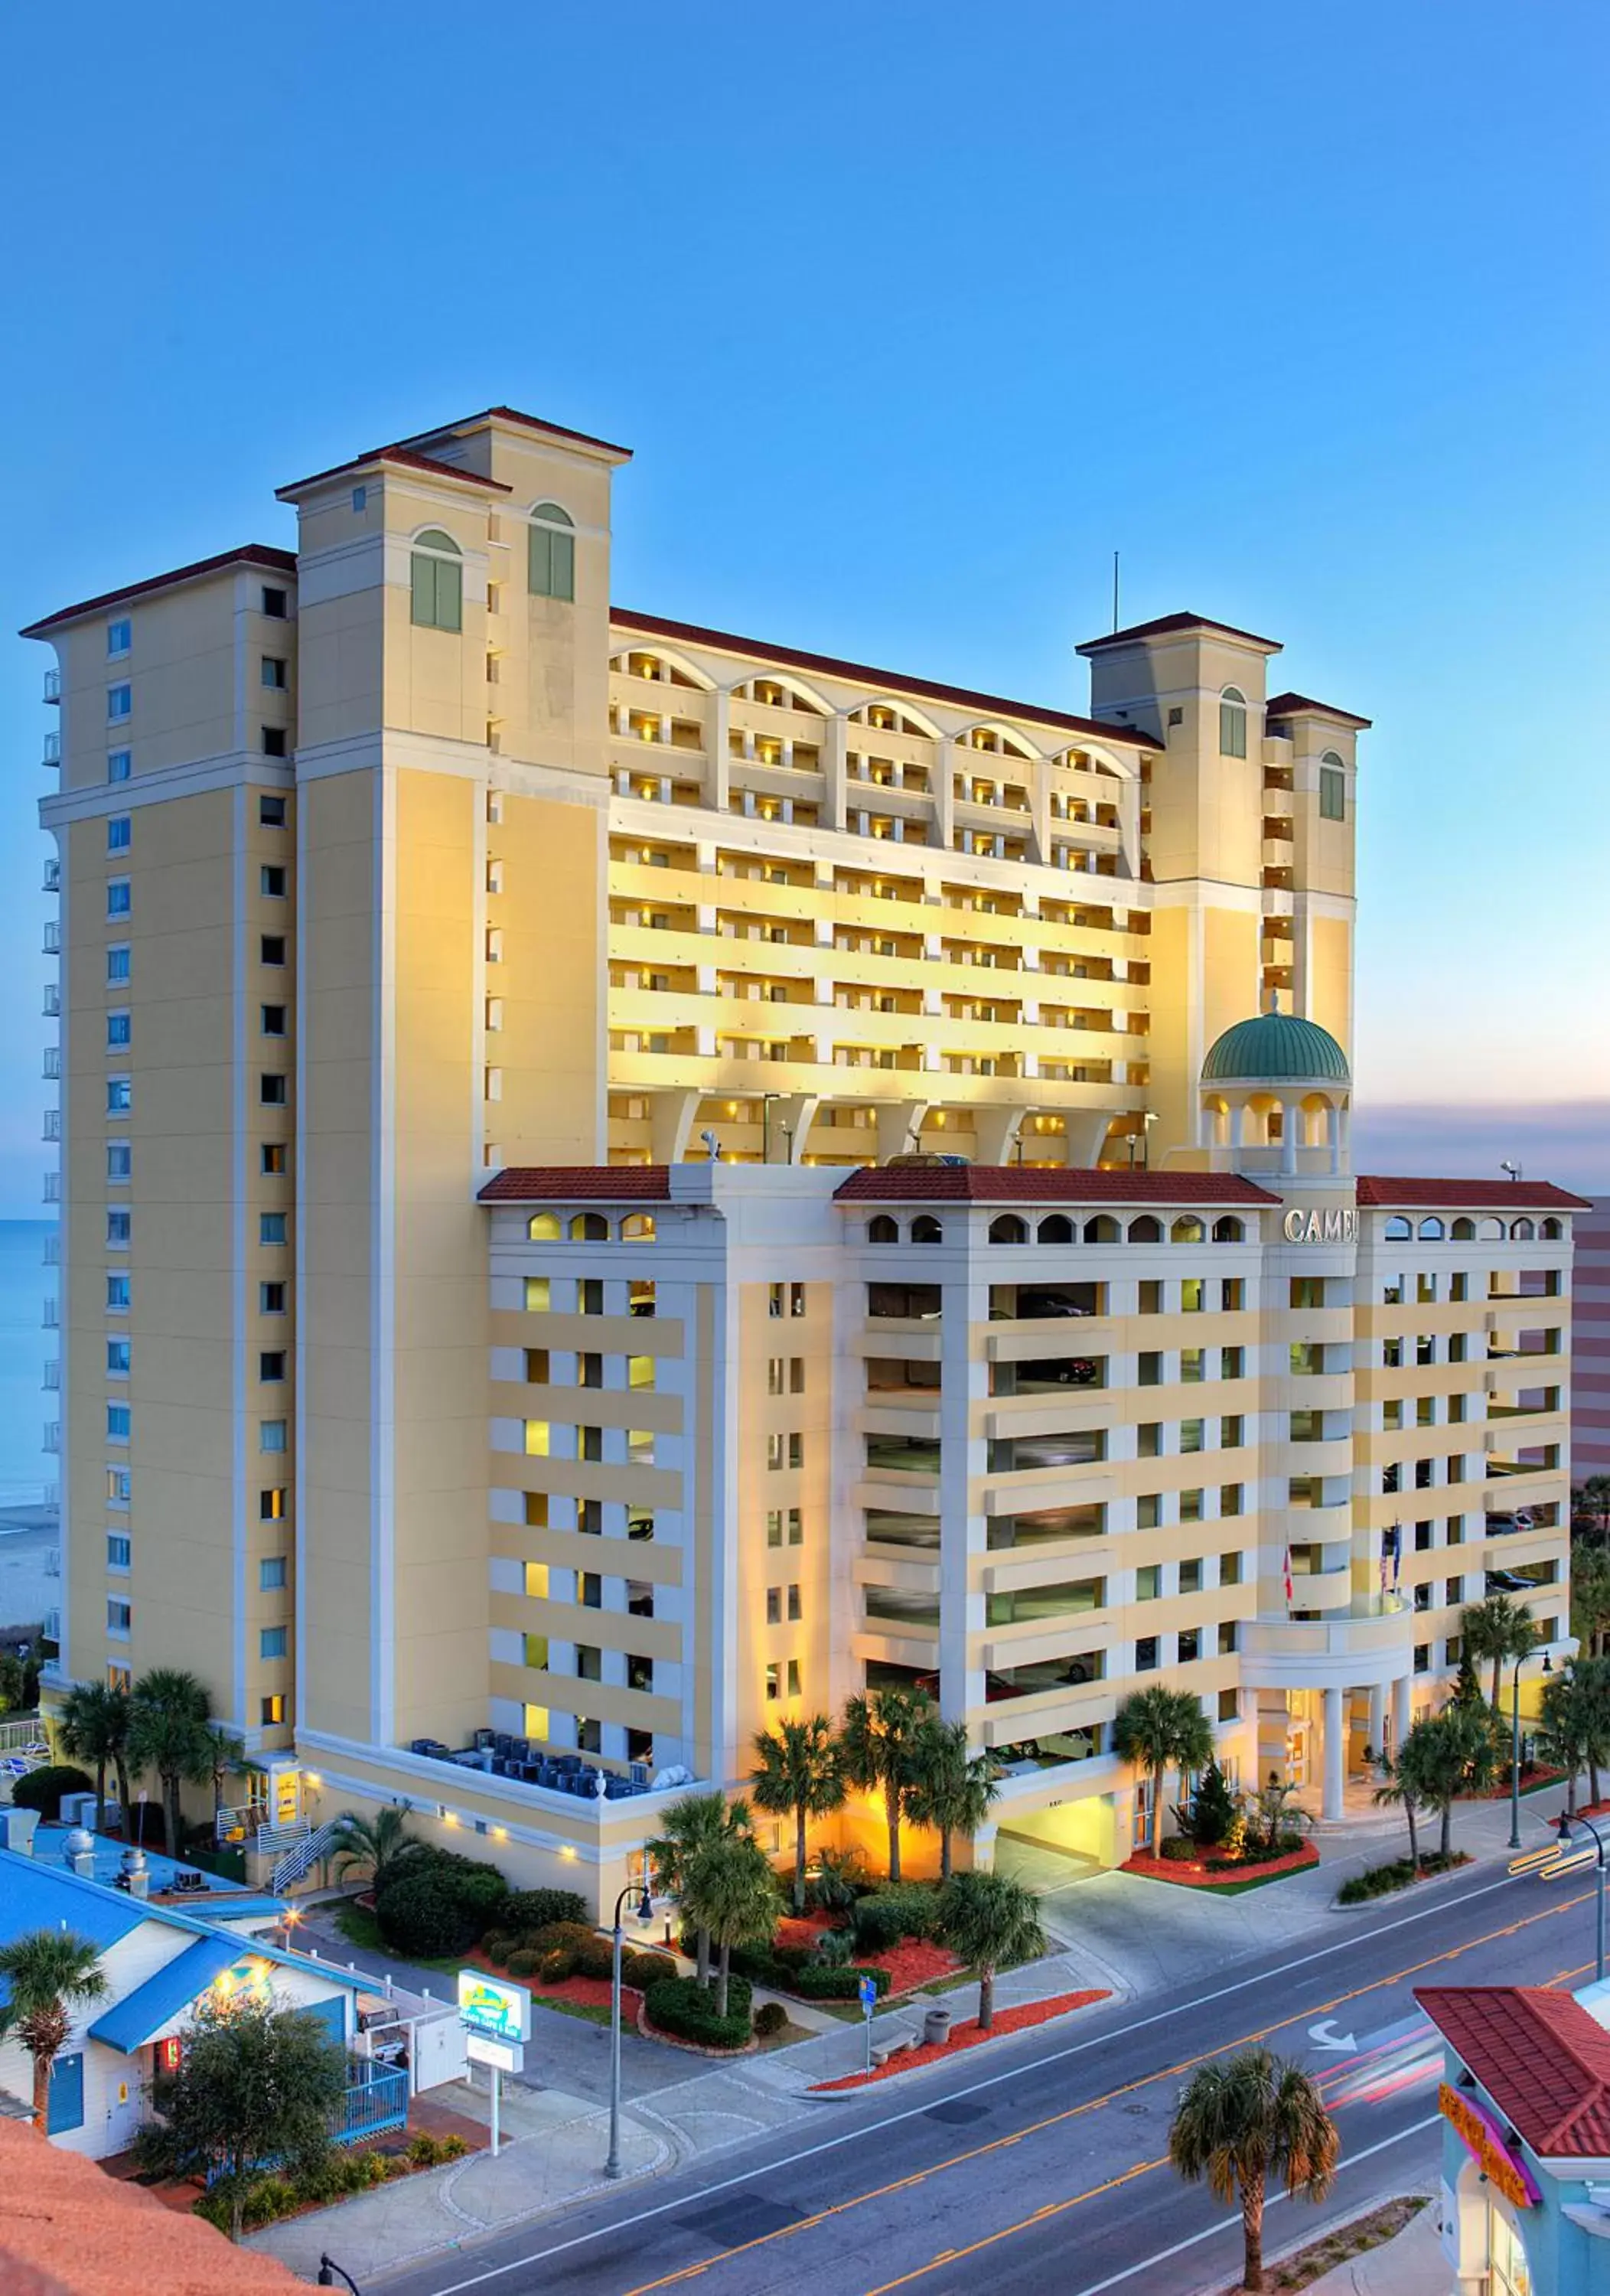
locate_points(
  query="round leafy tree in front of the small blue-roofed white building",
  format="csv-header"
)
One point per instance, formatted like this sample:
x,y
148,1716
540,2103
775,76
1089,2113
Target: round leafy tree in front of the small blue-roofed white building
x,y
256,2084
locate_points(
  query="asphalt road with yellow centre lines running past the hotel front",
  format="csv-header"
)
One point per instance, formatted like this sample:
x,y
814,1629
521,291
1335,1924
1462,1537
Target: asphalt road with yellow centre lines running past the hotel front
x,y
1044,2169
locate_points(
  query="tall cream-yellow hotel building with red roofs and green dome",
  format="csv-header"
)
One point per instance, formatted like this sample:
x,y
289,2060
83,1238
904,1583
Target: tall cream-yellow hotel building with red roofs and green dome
x,y
500,1312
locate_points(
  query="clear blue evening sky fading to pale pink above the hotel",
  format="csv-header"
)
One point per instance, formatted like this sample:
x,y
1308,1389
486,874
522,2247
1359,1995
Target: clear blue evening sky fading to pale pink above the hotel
x,y
913,316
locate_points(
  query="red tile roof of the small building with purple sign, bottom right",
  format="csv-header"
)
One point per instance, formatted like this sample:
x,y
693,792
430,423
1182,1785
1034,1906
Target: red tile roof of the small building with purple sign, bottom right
x,y
1540,2056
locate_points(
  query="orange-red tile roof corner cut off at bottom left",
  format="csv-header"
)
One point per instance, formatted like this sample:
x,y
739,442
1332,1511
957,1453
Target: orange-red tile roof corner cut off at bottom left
x,y
72,2231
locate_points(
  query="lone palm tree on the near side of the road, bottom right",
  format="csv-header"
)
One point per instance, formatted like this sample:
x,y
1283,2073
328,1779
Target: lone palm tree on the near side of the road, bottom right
x,y
1241,2120
